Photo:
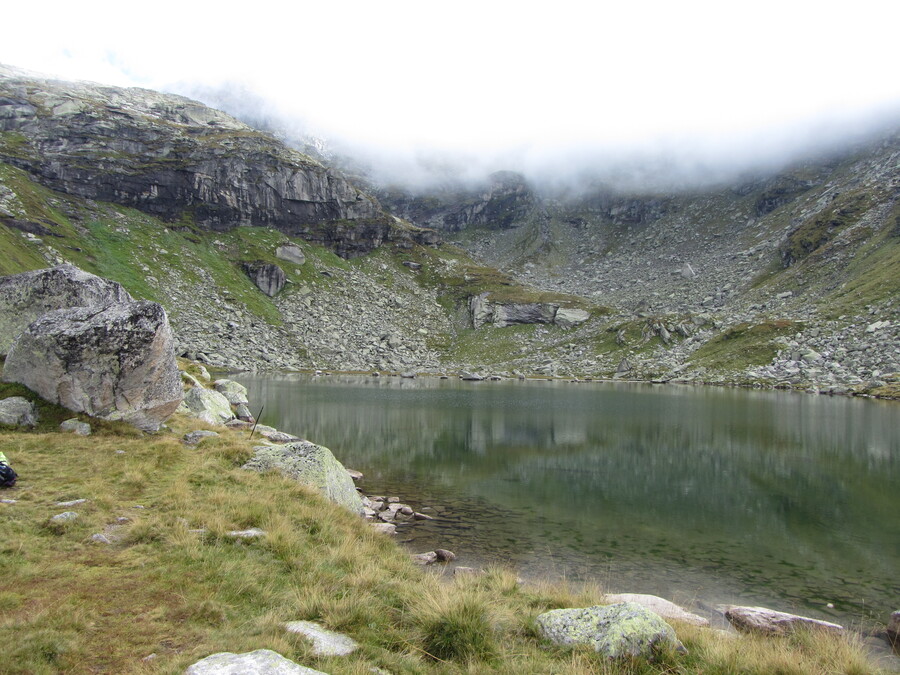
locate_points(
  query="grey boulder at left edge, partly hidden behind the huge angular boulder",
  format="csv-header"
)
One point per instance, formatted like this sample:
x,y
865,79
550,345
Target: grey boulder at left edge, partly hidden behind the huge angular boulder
x,y
25,297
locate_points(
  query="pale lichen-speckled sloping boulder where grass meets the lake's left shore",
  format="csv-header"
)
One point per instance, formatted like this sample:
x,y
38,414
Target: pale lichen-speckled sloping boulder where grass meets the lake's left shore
x,y
313,465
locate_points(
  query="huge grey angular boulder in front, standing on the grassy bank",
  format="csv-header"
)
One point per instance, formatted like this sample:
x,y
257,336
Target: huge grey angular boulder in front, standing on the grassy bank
x,y
115,362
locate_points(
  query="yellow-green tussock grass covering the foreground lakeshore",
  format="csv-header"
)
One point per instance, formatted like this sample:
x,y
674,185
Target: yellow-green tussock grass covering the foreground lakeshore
x,y
175,584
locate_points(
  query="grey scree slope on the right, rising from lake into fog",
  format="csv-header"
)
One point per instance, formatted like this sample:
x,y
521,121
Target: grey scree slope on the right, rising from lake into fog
x,y
788,279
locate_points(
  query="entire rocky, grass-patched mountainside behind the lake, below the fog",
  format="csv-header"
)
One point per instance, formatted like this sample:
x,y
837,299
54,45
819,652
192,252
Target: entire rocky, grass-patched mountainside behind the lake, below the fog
x,y
786,280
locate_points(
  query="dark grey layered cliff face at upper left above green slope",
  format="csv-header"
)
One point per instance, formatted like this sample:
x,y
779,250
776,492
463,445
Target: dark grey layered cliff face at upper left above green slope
x,y
176,158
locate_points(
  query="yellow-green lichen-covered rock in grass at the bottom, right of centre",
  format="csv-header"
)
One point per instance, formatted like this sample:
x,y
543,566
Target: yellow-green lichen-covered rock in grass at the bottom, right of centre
x,y
624,629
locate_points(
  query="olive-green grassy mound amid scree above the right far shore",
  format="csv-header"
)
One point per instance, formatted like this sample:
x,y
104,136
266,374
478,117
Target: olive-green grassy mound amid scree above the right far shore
x,y
744,345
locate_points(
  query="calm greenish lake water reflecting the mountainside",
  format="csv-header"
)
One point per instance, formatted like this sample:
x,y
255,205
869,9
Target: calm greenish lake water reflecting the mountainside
x,y
711,495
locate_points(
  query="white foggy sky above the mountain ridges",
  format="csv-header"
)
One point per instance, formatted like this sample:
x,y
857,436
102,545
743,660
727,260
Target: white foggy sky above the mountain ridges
x,y
689,91
